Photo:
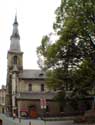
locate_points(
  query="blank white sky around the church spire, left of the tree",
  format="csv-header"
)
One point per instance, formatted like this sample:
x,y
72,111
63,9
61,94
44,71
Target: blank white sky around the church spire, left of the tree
x,y
35,18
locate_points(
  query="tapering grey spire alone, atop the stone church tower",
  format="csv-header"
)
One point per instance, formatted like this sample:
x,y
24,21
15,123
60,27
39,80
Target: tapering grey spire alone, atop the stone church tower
x,y
15,38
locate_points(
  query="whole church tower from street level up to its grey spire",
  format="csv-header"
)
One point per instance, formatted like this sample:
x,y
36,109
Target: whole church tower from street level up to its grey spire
x,y
14,67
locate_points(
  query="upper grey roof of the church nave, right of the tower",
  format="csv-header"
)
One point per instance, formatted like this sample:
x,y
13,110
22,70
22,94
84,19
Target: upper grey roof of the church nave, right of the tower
x,y
32,74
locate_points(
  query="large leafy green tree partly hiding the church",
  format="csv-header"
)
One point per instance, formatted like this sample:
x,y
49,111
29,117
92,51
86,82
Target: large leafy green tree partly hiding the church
x,y
67,59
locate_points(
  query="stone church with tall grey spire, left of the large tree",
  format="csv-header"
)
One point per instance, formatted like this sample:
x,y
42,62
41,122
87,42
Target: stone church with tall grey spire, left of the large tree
x,y
27,94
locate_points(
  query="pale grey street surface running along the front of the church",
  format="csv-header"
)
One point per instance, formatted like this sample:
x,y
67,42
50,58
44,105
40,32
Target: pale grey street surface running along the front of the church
x,y
10,121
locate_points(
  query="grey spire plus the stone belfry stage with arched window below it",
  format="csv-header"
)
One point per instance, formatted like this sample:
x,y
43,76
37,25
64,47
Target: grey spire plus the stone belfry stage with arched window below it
x,y
15,56
